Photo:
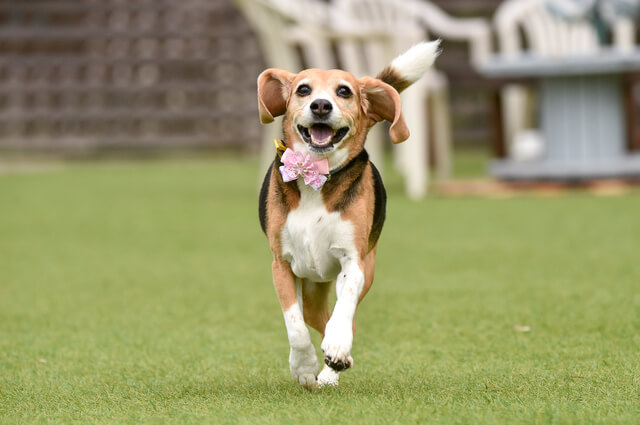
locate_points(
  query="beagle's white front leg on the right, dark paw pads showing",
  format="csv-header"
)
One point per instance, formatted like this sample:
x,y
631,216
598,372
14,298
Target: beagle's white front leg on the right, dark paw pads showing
x,y
338,339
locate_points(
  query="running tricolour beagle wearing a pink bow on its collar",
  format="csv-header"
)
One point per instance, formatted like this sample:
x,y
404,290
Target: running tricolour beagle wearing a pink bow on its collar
x,y
322,202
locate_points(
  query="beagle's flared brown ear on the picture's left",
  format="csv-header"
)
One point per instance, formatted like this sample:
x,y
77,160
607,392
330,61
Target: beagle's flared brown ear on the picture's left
x,y
274,87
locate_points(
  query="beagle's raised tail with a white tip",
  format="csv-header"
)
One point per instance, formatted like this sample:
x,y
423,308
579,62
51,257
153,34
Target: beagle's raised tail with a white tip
x,y
407,68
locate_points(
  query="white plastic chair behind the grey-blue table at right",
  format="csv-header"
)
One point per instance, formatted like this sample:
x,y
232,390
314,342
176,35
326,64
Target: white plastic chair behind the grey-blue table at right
x,y
548,36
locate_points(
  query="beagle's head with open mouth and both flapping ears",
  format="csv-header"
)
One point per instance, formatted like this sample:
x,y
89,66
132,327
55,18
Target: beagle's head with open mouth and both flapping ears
x,y
328,113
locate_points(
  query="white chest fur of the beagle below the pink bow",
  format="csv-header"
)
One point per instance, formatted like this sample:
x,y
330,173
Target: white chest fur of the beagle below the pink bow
x,y
314,240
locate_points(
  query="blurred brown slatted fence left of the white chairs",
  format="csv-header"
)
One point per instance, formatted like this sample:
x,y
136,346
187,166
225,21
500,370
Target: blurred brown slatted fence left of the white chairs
x,y
86,77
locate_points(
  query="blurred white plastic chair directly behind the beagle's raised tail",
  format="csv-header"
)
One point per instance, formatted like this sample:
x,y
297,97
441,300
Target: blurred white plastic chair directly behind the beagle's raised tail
x,y
387,27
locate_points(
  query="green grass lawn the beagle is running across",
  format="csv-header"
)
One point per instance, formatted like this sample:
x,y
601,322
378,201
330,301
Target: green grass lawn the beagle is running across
x,y
141,293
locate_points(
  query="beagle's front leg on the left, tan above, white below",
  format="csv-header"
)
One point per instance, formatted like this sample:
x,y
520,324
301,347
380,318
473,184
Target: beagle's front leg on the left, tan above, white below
x,y
303,362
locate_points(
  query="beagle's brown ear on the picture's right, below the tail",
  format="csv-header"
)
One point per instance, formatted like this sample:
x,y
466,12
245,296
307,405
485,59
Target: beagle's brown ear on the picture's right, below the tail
x,y
382,102
